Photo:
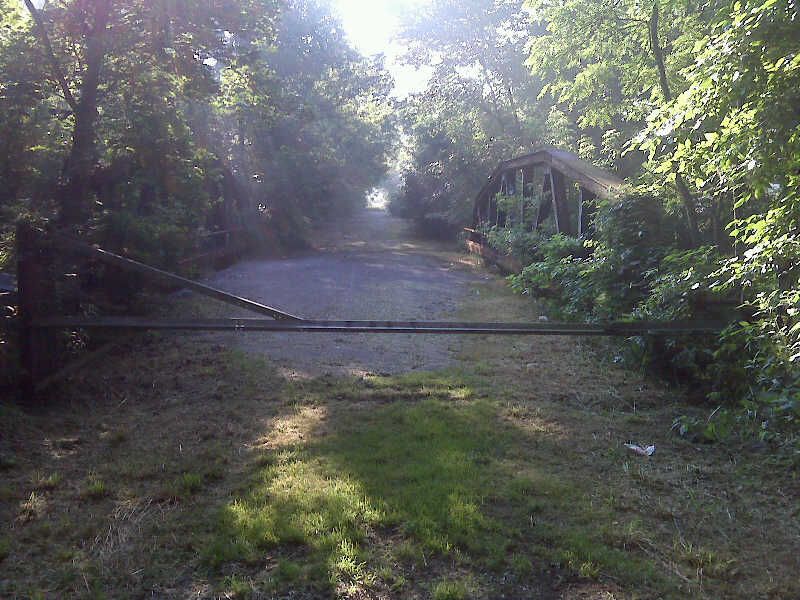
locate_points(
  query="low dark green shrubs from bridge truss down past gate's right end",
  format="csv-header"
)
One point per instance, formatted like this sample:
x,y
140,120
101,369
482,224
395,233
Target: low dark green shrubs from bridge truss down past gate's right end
x,y
635,268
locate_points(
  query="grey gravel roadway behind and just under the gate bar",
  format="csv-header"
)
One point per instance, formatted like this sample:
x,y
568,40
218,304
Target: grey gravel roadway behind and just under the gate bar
x,y
369,266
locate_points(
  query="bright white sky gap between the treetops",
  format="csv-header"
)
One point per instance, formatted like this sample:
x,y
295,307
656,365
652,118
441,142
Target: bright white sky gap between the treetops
x,y
372,26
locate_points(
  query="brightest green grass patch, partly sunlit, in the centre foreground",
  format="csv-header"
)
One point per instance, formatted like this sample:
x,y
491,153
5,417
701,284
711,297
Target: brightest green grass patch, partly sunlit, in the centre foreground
x,y
413,479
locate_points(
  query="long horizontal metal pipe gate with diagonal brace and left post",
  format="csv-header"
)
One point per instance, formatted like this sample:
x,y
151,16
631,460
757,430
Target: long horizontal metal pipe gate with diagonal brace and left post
x,y
34,324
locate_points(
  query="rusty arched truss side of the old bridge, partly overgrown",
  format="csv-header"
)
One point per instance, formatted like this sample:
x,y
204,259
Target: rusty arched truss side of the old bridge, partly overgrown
x,y
541,181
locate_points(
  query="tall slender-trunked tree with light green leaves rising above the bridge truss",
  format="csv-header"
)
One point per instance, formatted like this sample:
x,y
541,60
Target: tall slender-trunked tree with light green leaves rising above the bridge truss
x,y
613,62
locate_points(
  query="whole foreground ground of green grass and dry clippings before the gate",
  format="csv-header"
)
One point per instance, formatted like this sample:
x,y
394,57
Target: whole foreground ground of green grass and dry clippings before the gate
x,y
178,469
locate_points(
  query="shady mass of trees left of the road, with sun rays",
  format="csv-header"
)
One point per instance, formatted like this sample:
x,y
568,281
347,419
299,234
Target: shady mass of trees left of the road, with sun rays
x,y
218,116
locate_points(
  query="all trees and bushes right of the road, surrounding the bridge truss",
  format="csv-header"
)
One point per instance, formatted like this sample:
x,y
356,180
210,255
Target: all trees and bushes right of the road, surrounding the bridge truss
x,y
695,104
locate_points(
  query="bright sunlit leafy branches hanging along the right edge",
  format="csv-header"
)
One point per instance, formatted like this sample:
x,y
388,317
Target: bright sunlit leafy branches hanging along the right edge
x,y
734,132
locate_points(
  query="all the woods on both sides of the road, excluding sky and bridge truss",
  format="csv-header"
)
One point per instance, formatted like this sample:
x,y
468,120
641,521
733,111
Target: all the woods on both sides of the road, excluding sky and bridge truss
x,y
146,126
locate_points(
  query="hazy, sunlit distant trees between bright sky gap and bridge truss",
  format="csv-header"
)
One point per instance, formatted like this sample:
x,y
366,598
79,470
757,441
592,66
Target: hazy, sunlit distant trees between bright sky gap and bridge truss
x,y
479,108
